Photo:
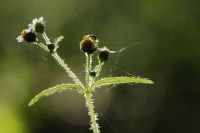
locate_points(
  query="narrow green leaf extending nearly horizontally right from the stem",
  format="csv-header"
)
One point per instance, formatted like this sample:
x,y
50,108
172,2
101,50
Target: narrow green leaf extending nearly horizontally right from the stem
x,y
121,80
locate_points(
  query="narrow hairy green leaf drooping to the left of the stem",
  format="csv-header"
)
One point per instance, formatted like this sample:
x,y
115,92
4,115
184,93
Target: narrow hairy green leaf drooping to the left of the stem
x,y
51,91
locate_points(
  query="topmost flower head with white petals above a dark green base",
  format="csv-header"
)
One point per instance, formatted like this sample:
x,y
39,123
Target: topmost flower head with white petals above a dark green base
x,y
38,25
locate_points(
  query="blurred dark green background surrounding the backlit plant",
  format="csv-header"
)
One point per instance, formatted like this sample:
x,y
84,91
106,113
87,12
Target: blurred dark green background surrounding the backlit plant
x,y
161,41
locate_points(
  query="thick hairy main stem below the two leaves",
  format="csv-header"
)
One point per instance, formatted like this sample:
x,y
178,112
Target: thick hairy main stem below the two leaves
x,y
93,116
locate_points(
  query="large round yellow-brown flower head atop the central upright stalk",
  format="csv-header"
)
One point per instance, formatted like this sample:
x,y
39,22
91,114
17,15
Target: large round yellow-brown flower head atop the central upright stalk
x,y
89,44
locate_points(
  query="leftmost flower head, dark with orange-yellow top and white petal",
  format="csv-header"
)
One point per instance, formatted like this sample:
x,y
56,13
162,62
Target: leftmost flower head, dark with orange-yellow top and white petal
x,y
27,35
